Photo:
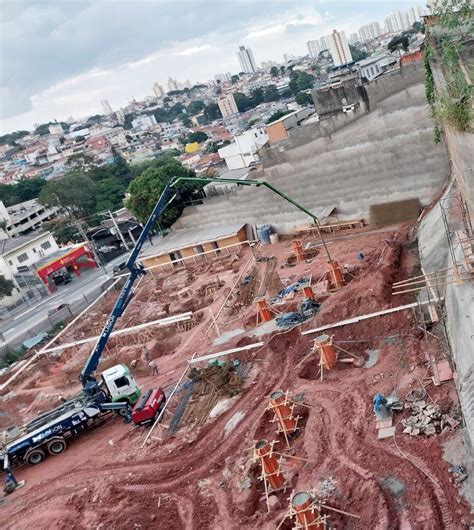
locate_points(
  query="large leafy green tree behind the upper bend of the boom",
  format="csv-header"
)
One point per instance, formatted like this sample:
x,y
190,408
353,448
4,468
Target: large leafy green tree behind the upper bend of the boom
x,y
145,190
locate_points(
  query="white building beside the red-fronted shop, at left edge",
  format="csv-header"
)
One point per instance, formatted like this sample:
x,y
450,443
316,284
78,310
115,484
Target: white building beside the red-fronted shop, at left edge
x,y
17,259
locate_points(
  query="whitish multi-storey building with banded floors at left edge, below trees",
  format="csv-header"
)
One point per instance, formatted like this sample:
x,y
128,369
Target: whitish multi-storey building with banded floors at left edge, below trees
x,y
23,218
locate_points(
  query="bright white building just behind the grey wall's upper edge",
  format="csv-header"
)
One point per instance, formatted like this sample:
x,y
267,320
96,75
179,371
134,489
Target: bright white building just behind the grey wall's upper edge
x,y
244,151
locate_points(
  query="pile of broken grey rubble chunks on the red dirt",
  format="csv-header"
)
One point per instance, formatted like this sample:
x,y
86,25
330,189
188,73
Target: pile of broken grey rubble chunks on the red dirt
x,y
427,418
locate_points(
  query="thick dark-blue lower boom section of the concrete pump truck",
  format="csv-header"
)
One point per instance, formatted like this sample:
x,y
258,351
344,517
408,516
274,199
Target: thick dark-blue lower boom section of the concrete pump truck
x,y
87,379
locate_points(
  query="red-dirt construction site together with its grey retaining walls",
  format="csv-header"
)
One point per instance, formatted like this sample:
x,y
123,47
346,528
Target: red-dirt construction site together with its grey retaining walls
x,y
316,371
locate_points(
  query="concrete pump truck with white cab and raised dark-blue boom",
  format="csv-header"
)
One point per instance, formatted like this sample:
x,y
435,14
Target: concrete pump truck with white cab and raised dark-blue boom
x,y
115,390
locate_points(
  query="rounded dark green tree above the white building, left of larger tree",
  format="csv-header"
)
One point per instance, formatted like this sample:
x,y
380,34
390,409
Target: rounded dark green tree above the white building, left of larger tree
x,y
74,193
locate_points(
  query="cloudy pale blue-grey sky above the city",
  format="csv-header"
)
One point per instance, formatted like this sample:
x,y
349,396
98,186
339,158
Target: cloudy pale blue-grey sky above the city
x,y
60,58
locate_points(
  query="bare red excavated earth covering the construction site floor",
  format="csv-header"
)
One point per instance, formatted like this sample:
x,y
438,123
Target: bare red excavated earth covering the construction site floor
x,y
205,478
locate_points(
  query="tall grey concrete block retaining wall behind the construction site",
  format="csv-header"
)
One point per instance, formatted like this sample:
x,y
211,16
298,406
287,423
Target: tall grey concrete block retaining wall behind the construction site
x,y
383,156
